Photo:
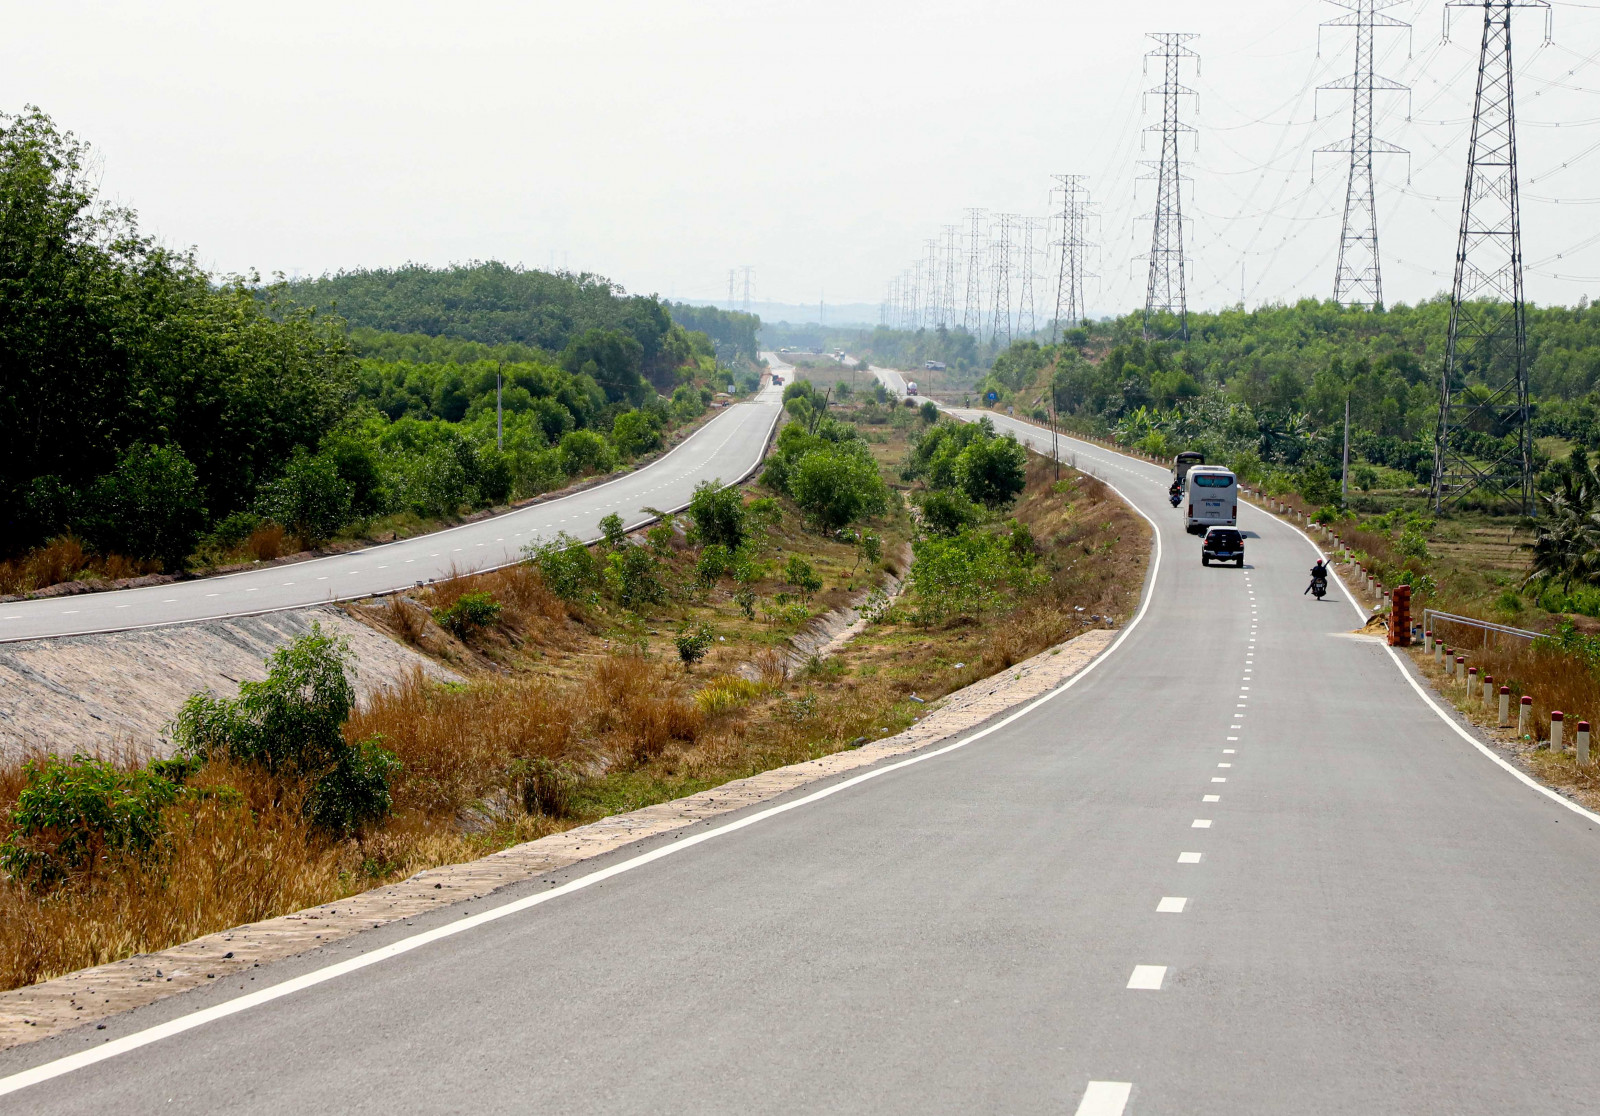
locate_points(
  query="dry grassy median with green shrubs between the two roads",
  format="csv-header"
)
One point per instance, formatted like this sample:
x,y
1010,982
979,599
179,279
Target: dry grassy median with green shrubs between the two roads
x,y
601,680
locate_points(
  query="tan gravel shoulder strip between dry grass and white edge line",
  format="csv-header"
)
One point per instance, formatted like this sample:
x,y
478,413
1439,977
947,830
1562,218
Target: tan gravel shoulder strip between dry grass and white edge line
x,y
89,995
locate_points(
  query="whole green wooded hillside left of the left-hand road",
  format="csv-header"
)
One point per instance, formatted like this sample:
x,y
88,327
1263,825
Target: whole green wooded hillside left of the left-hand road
x,y
158,413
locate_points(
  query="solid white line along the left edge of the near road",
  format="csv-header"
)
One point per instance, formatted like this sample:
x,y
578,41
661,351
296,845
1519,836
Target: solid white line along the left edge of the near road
x,y
84,1059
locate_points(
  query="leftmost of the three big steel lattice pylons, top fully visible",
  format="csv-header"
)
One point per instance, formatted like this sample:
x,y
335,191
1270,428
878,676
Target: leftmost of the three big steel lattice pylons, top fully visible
x,y
1166,292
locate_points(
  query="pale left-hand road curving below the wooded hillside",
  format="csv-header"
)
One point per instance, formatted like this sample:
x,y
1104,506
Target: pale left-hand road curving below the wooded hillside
x,y
727,448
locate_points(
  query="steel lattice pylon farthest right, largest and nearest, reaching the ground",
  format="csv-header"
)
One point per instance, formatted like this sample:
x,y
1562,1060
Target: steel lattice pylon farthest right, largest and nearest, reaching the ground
x,y
1484,389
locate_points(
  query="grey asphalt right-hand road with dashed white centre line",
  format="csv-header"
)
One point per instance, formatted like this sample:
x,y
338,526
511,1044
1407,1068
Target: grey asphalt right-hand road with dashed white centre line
x,y
1236,867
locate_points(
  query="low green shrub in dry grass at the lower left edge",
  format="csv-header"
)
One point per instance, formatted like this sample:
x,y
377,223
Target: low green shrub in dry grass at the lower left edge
x,y
73,816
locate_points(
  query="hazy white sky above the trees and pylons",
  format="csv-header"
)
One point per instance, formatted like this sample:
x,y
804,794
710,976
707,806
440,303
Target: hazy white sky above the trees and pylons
x,y
820,143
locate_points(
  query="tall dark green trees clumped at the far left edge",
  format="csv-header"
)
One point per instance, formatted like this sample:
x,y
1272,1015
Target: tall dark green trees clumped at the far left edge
x,y
121,359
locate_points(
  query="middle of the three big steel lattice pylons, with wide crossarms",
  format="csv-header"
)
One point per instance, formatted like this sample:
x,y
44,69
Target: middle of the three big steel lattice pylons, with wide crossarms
x,y
1359,281
